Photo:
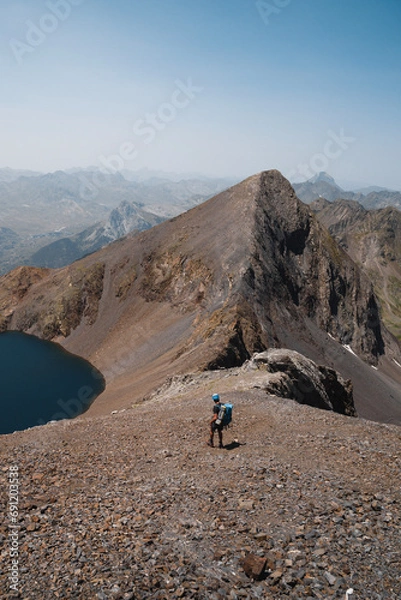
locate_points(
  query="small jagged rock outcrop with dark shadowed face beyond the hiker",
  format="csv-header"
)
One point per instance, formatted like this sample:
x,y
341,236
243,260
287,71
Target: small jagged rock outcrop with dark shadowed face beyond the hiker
x,y
292,375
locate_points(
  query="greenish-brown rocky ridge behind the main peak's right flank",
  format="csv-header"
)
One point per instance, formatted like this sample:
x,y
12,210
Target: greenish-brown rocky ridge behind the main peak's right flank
x,y
373,239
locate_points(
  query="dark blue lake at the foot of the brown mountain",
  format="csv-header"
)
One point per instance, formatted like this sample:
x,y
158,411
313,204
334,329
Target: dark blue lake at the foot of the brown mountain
x,y
42,382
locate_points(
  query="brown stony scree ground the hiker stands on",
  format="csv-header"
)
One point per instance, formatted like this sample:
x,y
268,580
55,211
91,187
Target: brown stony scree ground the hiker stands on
x,y
134,505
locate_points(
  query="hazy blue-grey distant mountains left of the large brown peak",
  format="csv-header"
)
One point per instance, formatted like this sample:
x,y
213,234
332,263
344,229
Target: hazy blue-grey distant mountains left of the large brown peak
x,y
61,210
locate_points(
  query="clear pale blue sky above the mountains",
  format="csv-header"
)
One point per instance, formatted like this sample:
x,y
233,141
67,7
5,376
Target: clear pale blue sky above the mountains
x,y
226,88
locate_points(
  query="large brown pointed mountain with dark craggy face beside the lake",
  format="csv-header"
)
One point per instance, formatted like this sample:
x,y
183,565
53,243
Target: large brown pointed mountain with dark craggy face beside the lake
x,y
249,269
